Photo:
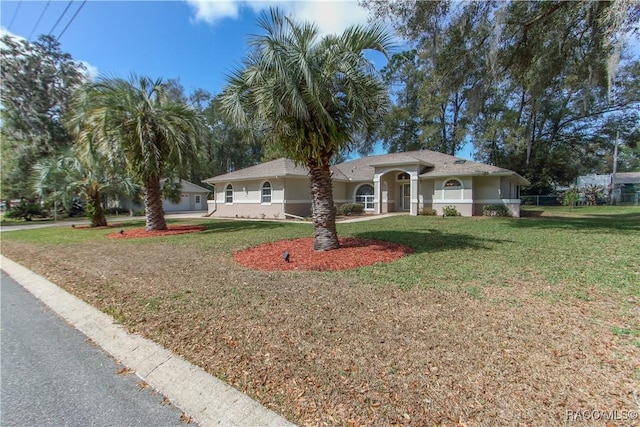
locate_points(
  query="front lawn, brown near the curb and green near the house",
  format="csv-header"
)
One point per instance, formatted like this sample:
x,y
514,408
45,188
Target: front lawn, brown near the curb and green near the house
x,y
490,322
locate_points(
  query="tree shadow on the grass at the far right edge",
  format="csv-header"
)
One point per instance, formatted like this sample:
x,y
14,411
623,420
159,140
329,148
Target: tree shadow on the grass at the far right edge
x,y
619,223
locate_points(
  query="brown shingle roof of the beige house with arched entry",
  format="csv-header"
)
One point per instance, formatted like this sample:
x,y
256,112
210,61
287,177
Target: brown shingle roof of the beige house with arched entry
x,y
434,164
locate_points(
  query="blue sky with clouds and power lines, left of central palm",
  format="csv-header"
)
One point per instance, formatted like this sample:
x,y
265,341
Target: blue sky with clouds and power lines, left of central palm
x,y
199,42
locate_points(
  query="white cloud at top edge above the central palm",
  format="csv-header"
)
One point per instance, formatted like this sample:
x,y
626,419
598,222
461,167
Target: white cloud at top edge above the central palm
x,y
331,16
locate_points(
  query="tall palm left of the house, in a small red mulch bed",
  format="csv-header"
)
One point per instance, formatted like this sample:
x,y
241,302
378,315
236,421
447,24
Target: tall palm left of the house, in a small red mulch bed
x,y
138,120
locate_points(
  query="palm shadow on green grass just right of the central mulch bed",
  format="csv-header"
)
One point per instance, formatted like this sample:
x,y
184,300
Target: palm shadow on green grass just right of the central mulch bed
x,y
432,240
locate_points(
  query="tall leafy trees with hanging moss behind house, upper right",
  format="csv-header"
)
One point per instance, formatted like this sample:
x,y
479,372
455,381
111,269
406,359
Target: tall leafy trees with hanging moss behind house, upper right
x,y
540,87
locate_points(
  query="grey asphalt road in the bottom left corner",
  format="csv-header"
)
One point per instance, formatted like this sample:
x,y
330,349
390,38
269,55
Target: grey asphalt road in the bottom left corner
x,y
52,375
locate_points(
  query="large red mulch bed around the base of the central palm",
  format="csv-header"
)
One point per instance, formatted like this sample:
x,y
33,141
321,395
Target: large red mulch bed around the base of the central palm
x,y
353,253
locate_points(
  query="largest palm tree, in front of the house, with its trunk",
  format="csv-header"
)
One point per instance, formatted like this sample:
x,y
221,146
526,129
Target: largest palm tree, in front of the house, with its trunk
x,y
313,95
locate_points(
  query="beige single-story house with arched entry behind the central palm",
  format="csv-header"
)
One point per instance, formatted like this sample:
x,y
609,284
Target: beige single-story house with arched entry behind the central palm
x,y
400,182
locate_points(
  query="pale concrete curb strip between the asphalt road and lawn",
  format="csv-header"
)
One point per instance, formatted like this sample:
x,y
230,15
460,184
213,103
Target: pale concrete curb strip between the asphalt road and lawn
x,y
206,399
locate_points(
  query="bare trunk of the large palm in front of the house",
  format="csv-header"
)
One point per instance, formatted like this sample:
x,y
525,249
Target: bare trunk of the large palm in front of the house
x,y
324,212
